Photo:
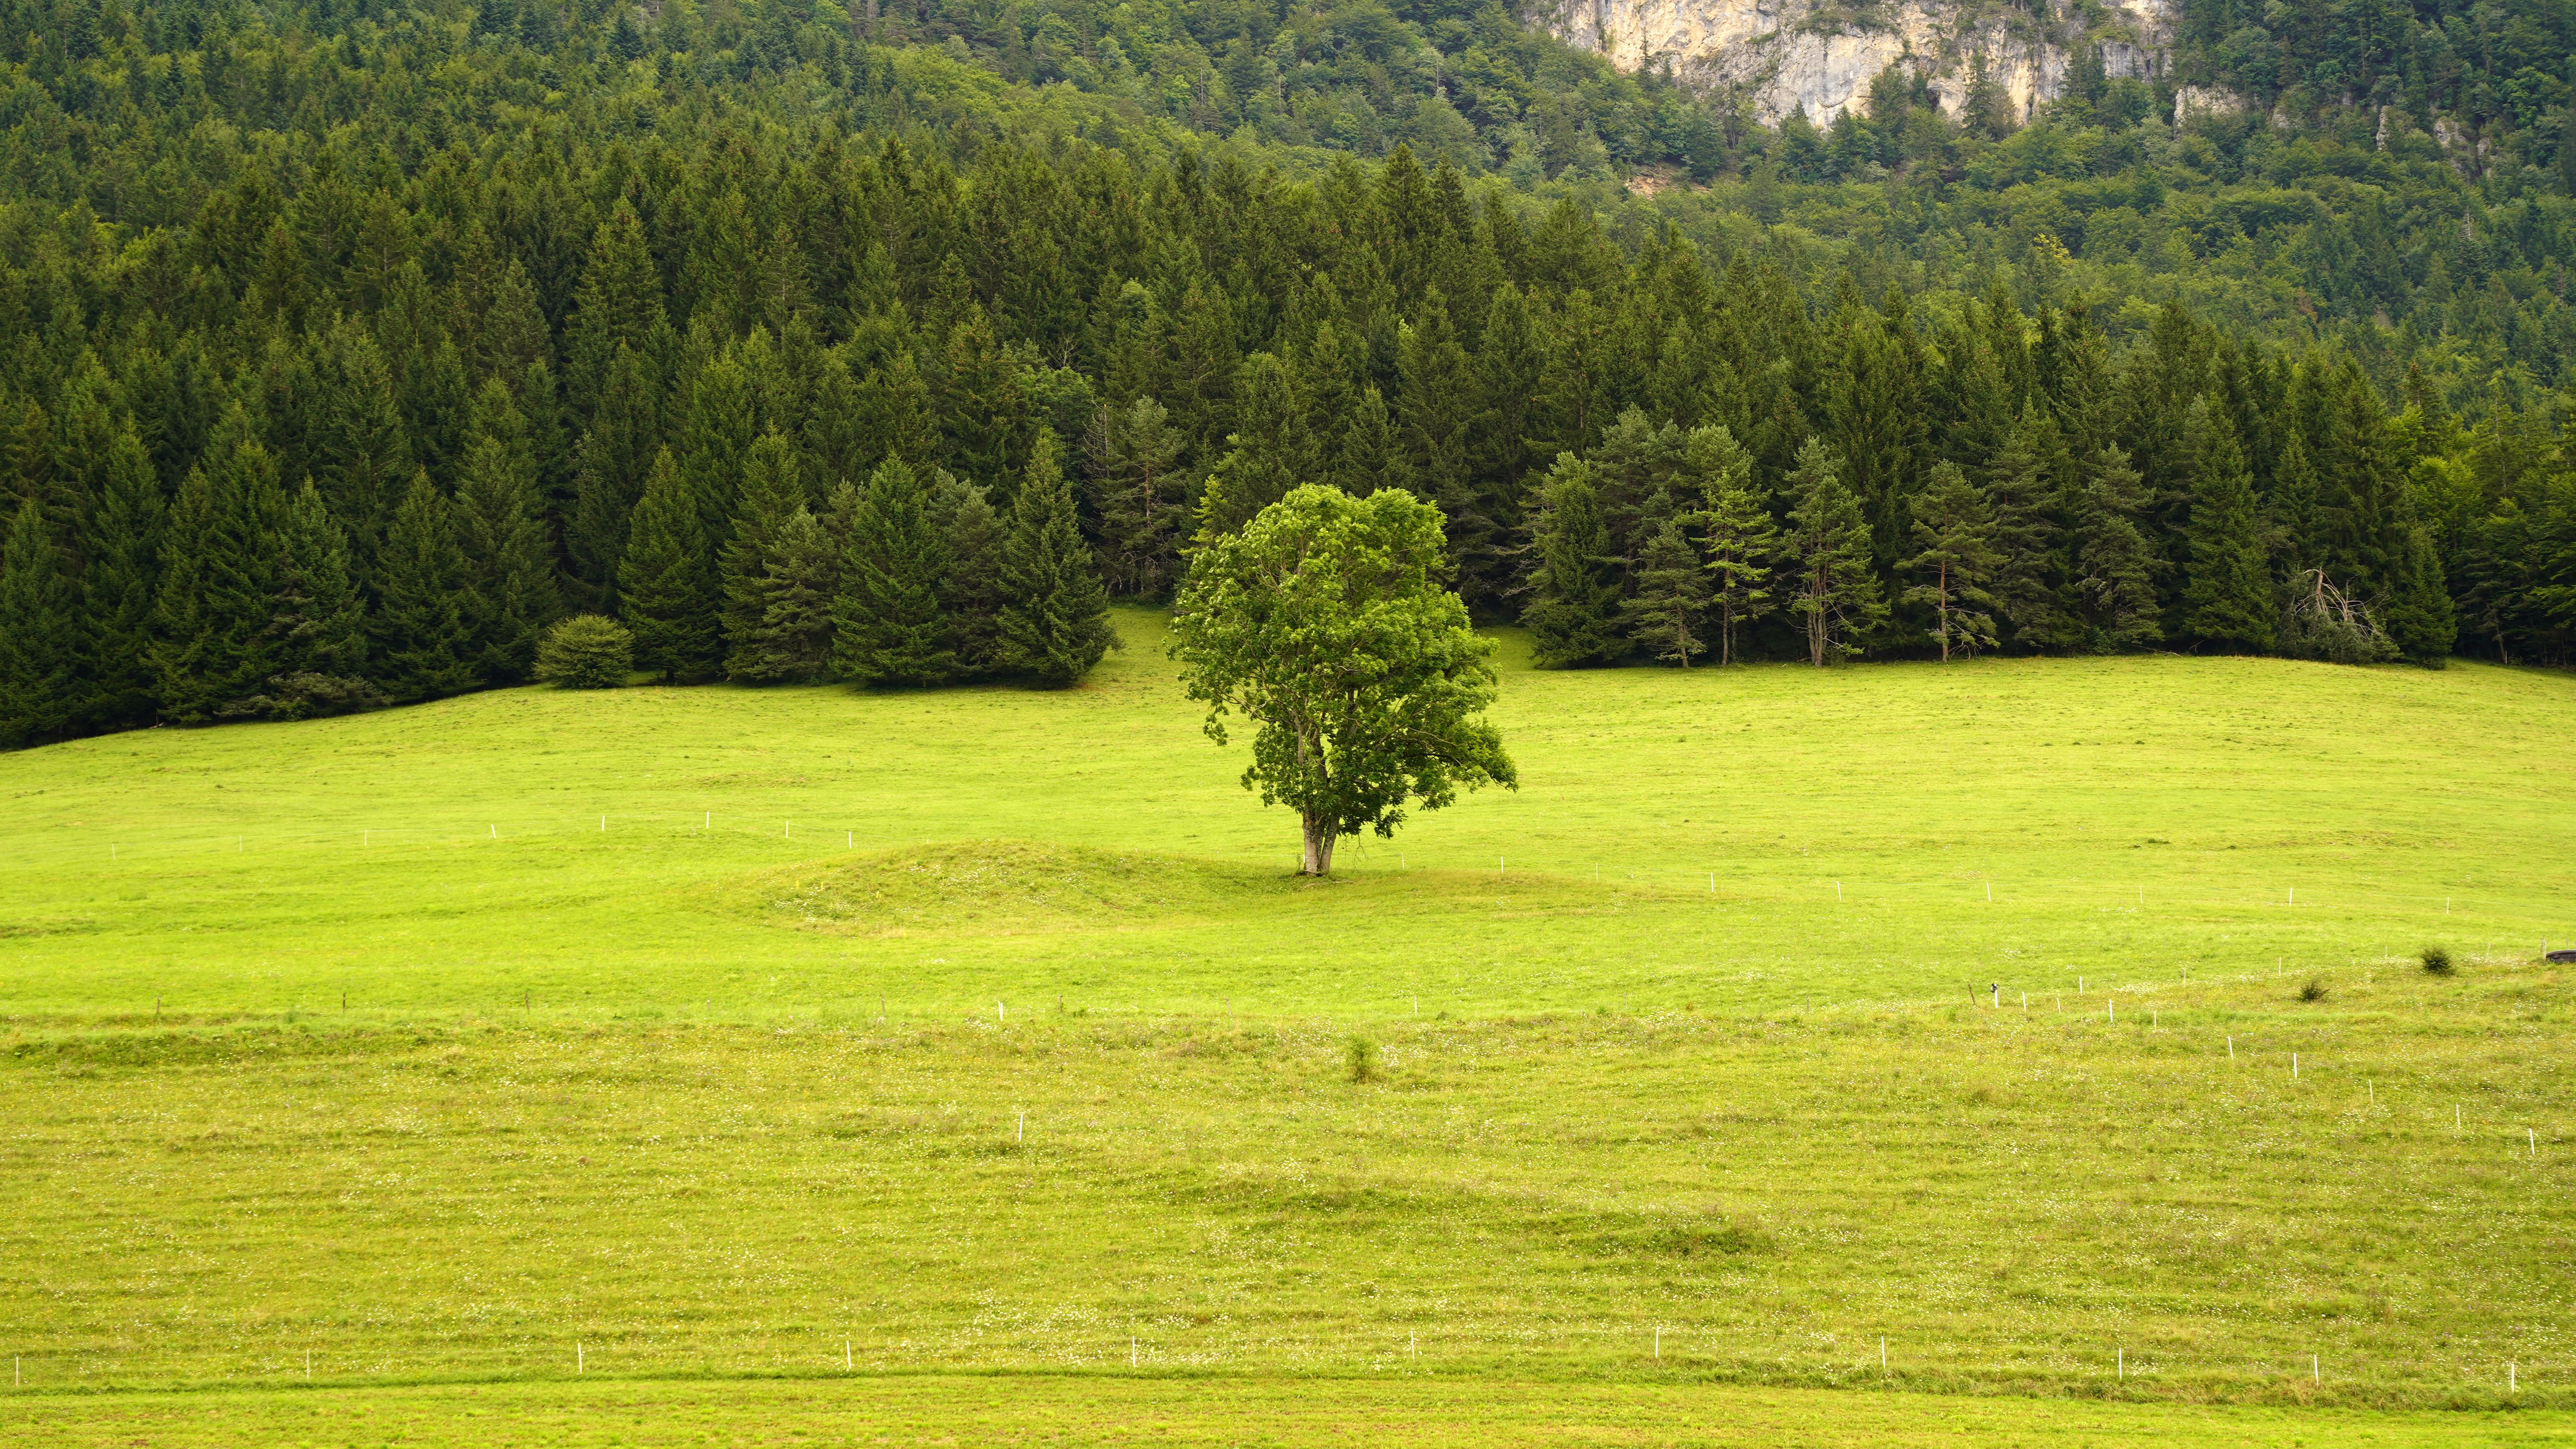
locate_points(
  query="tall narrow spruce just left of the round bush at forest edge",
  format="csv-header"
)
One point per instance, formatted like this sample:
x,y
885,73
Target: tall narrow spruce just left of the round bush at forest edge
x,y
501,534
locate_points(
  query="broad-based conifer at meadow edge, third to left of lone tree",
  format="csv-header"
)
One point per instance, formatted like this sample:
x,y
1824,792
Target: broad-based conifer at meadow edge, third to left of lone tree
x,y
890,627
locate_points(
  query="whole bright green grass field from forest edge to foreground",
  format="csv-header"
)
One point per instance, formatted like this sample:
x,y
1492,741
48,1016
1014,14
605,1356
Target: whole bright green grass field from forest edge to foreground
x,y
1006,1090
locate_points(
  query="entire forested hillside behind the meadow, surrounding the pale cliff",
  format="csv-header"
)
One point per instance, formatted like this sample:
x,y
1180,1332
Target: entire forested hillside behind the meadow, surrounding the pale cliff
x,y
352,349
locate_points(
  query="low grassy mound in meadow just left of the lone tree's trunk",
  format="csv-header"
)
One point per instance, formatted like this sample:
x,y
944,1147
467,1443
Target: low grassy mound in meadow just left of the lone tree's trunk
x,y
993,889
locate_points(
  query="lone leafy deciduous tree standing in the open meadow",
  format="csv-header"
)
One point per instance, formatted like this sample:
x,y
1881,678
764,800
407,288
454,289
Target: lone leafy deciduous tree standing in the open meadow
x,y
1325,624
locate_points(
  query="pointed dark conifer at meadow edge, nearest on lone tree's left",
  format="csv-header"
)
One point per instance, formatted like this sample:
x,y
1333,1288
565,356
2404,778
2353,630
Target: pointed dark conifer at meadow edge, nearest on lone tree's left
x,y
1055,614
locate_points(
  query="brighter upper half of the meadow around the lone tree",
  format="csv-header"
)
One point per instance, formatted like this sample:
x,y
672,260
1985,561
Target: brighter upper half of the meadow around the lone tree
x,y
1732,840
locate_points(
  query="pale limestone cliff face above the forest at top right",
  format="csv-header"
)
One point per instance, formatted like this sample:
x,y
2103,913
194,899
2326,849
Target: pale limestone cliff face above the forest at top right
x,y
1823,55
